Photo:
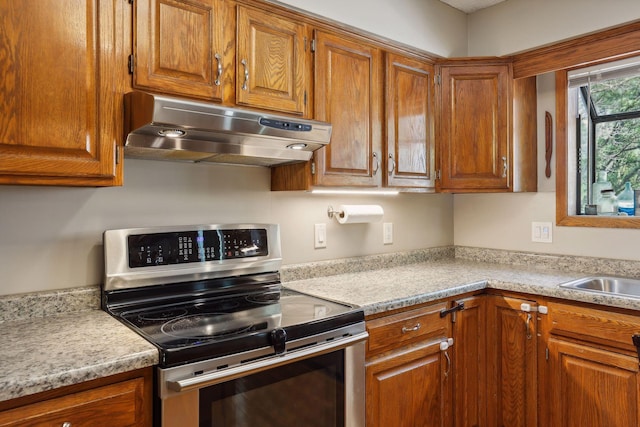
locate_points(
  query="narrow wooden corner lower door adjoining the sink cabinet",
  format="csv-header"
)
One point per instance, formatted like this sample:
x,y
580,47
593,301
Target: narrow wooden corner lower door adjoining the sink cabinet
x,y
512,368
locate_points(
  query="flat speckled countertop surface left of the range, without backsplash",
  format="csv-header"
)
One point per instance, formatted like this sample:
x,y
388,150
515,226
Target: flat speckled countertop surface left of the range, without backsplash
x,y
44,353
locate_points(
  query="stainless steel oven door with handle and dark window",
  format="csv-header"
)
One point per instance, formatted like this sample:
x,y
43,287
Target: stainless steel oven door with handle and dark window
x,y
320,385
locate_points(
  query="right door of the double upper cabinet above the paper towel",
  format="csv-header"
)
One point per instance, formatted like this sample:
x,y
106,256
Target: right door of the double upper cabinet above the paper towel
x,y
410,133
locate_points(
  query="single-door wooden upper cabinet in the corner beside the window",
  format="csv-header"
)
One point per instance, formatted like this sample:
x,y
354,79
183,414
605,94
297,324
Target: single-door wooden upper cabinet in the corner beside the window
x,y
487,128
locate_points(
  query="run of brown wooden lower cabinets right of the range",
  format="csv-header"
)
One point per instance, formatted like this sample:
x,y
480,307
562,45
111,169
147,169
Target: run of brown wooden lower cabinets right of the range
x,y
510,365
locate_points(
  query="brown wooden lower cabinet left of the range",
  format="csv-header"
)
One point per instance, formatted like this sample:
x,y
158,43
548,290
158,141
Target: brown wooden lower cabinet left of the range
x,y
123,400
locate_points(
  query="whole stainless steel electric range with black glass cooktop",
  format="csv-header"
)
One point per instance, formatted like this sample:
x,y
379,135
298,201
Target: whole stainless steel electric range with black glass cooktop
x,y
236,348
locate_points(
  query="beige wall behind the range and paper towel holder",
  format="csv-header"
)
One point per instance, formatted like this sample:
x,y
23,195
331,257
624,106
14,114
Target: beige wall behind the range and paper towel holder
x,y
50,238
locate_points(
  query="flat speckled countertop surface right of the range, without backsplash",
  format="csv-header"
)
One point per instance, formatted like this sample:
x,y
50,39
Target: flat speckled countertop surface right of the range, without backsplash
x,y
397,287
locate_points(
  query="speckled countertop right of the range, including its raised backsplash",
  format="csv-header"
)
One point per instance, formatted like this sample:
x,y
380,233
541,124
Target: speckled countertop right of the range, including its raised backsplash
x,y
387,282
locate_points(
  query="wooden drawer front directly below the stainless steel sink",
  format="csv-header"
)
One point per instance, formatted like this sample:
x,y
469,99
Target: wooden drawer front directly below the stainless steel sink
x,y
594,325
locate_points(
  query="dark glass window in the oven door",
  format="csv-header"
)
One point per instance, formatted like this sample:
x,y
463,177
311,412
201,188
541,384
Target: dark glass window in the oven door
x,y
305,393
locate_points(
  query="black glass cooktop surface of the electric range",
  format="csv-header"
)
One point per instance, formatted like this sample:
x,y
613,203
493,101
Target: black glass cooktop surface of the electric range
x,y
197,328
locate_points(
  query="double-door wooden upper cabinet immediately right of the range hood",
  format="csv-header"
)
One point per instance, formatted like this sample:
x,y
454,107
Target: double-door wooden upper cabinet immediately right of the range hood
x,y
352,85
